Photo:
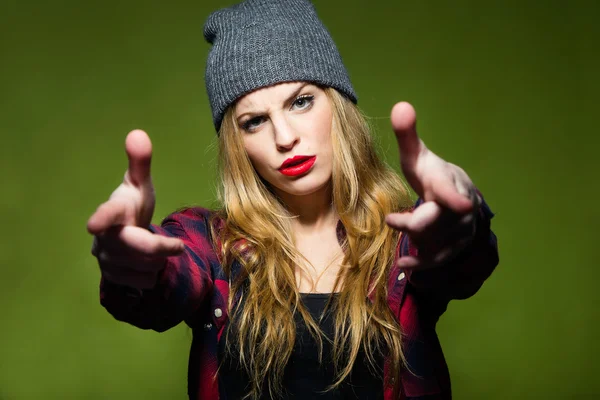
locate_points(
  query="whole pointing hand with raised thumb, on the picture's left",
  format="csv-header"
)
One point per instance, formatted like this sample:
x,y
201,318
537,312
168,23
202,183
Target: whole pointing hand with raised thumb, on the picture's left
x,y
127,252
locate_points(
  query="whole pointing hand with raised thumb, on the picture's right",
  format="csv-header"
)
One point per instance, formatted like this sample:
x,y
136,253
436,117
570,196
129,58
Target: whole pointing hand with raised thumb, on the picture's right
x,y
444,224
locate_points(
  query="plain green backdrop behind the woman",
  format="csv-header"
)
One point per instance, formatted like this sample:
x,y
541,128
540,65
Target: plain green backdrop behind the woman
x,y
507,90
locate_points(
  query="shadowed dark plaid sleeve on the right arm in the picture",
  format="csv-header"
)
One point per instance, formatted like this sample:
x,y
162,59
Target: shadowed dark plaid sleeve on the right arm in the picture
x,y
463,276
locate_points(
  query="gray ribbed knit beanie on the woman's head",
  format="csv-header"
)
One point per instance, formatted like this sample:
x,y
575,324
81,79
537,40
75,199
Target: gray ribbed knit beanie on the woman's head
x,y
260,43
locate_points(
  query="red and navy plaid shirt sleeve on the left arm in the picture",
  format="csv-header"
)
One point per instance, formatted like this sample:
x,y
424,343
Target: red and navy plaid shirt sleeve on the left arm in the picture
x,y
181,286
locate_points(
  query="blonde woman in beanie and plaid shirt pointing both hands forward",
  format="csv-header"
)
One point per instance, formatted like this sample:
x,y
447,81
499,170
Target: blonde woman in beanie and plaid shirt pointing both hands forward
x,y
316,278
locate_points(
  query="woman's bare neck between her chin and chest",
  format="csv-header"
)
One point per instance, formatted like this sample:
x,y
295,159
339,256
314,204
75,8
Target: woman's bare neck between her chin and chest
x,y
314,212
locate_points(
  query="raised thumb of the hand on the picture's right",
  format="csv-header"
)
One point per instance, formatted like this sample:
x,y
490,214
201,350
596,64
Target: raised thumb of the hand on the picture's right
x,y
404,123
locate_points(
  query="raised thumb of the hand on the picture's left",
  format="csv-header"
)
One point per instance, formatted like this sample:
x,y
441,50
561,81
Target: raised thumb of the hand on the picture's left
x,y
139,152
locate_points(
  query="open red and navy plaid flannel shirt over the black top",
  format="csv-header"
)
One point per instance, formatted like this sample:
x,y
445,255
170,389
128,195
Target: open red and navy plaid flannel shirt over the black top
x,y
193,288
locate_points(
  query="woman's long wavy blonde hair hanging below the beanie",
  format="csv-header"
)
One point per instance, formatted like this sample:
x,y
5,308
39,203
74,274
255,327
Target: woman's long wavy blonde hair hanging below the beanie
x,y
256,231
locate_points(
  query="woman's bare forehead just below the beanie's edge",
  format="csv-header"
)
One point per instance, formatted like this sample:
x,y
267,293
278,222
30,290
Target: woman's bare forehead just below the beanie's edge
x,y
269,96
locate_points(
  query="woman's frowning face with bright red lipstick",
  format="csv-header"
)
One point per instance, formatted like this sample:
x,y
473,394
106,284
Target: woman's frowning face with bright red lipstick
x,y
287,134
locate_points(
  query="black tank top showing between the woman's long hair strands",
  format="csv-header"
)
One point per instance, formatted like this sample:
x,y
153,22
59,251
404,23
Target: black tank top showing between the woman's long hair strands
x,y
304,376
